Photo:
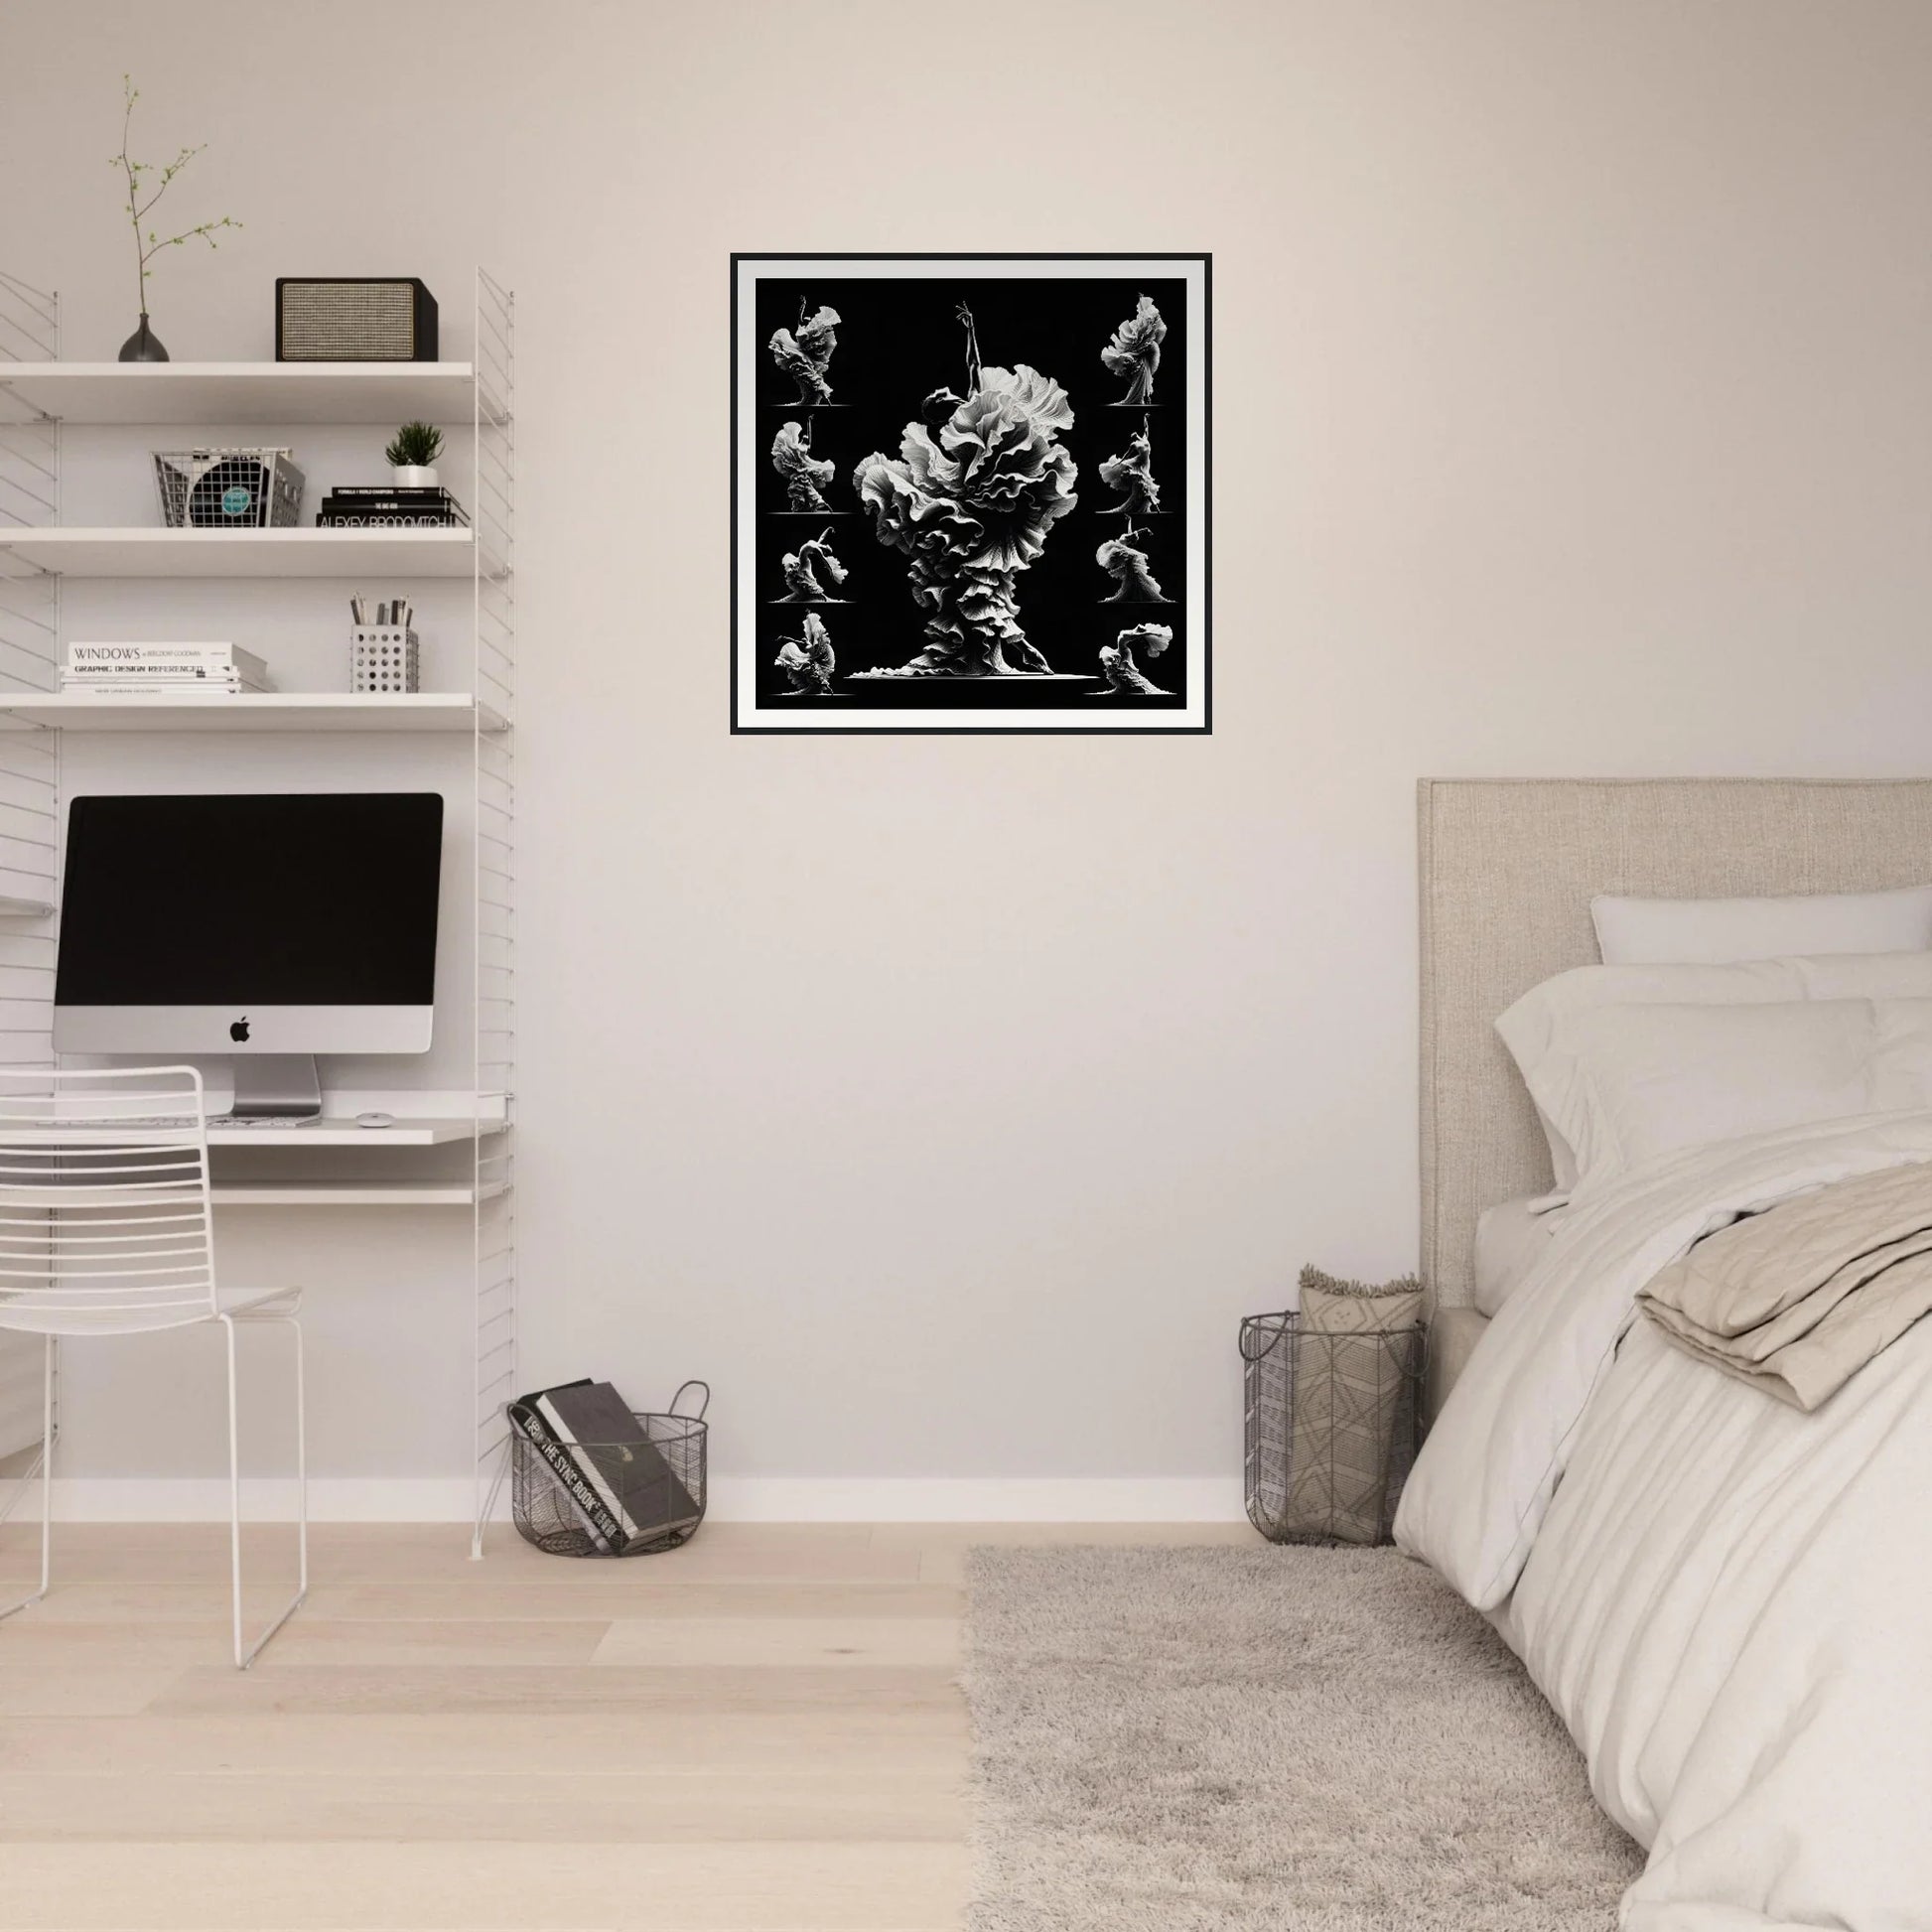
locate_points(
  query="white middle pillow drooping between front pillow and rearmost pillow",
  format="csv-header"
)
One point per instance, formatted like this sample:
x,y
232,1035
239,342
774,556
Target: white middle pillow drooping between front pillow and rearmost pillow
x,y
1533,1023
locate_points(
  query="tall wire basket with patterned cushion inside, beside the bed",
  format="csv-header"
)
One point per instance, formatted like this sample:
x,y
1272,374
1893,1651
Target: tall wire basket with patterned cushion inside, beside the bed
x,y
1332,1429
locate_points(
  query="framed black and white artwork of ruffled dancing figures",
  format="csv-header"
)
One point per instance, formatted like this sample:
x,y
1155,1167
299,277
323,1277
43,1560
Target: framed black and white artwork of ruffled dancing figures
x,y
971,494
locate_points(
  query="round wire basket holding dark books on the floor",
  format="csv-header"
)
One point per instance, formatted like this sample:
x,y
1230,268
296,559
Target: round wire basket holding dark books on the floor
x,y
613,1500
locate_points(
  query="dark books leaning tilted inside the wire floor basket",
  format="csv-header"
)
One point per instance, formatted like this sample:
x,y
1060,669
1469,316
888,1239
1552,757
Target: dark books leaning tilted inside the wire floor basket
x,y
606,1462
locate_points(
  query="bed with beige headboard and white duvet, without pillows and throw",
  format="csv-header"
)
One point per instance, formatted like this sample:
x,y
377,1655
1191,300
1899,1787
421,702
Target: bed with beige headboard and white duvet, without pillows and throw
x,y
1724,1599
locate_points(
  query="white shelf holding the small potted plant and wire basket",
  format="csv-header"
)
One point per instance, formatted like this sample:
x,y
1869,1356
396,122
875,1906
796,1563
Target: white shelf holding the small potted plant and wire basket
x,y
244,554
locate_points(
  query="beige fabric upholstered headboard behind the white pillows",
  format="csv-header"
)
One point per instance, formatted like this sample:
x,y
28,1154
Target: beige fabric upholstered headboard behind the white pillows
x,y
1508,870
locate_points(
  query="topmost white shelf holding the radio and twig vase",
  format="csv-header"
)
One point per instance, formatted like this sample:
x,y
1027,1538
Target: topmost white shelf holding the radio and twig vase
x,y
244,393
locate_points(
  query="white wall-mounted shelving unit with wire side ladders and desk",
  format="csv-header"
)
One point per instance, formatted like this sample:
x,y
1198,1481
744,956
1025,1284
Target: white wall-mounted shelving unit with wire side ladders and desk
x,y
40,395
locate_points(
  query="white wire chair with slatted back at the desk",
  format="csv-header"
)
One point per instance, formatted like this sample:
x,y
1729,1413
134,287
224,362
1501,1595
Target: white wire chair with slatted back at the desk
x,y
105,1230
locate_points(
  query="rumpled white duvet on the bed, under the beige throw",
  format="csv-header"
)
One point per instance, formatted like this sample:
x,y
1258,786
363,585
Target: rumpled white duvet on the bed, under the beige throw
x,y
1728,1603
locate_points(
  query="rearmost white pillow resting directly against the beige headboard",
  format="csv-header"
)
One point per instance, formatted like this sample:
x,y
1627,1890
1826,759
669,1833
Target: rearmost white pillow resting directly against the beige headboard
x,y
1641,932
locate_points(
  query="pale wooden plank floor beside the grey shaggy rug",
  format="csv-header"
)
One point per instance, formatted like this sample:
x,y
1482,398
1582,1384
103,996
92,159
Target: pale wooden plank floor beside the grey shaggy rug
x,y
754,1734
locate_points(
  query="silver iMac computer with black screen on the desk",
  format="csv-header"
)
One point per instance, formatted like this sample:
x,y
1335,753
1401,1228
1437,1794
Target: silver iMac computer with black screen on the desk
x,y
264,926
